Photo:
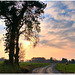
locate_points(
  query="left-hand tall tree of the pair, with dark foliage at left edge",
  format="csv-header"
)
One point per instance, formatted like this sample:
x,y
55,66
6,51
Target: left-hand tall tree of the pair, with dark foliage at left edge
x,y
5,13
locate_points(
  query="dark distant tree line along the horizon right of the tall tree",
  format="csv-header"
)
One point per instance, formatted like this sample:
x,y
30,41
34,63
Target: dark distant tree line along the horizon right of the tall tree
x,y
51,60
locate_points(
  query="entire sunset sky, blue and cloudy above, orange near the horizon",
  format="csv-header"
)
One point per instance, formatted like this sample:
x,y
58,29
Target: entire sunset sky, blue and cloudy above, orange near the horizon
x,y
57,36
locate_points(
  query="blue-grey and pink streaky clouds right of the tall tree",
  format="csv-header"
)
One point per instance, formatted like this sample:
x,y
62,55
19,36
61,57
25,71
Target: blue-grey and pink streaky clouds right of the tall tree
x,y
58,27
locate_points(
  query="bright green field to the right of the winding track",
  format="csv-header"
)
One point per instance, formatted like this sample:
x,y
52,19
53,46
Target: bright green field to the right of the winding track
x,y
70,68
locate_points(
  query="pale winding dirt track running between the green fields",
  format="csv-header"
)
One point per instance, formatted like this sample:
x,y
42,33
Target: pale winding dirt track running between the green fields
x,y
46,69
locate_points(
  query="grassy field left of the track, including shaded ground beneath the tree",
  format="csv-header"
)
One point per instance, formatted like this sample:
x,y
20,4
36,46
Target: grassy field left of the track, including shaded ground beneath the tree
x,y
7,68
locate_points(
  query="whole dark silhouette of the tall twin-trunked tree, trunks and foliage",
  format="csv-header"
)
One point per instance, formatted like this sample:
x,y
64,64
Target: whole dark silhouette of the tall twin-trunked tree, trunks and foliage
x,y
20,17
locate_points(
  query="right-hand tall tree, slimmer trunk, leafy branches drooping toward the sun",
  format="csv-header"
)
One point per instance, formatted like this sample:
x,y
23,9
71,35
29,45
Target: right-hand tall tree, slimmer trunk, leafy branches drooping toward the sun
x,y
28,18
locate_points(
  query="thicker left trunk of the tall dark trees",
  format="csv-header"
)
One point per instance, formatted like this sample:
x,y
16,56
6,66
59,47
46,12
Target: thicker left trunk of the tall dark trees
x,y
12,44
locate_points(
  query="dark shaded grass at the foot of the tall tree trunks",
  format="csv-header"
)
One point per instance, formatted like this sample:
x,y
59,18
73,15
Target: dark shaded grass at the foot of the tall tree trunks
x,y
6,68
